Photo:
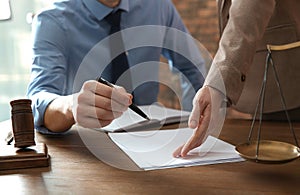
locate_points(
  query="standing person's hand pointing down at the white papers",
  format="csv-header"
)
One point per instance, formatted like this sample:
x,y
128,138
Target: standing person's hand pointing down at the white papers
x,y
205,117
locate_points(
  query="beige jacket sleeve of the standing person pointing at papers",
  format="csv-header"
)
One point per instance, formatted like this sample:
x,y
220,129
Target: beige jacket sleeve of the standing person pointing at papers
x,y
245,27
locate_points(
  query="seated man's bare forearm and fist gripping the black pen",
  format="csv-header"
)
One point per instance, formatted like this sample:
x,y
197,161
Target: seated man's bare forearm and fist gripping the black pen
x,y
95,106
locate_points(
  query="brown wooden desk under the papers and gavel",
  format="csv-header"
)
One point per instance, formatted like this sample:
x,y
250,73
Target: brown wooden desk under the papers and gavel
x,y
75,170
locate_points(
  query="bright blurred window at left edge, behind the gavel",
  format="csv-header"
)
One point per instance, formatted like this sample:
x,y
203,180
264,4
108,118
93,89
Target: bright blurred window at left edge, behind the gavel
x,y
15,51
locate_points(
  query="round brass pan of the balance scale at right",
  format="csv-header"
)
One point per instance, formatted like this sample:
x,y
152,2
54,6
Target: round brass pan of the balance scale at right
x,y
270,152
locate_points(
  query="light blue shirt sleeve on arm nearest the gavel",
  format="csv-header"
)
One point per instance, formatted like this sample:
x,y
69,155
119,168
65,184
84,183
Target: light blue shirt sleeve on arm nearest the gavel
x,y
48,66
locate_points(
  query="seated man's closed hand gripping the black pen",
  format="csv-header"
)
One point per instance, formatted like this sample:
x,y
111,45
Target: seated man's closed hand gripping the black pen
x,y
97,105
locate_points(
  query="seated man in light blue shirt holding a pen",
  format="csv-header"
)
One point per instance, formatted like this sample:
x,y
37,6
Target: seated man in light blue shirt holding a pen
x,y
71,50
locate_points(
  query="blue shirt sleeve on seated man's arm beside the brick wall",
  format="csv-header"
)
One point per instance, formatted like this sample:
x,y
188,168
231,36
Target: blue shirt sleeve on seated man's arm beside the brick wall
x,y
183,55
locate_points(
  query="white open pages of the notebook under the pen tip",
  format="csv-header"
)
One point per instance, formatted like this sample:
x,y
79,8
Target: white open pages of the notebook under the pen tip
x,y
153,111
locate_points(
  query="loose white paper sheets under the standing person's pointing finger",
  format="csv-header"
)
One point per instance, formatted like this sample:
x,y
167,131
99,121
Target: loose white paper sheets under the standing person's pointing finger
x,y
153,149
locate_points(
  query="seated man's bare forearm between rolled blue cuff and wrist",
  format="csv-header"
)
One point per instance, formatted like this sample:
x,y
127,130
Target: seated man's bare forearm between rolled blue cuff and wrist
x,y
58,116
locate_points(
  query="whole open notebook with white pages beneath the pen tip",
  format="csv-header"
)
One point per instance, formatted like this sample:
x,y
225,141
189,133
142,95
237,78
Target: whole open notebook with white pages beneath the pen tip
x,y
131,121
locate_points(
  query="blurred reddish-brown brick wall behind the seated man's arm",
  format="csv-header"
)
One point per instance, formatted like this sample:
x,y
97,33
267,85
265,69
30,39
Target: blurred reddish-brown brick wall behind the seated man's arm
x,y
200,17
